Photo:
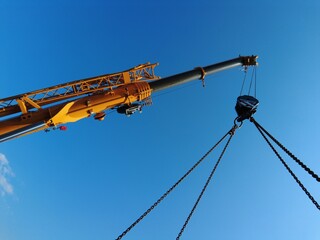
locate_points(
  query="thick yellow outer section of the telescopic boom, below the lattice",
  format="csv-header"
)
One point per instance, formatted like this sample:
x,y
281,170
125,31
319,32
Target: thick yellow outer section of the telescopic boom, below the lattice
x,y
73,111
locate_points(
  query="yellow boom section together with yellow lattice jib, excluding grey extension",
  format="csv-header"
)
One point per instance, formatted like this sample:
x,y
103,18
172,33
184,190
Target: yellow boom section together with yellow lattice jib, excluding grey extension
x,y
75,100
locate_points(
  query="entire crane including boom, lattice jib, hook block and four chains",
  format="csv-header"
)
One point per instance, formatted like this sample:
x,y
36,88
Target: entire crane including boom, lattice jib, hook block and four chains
x,y
127,92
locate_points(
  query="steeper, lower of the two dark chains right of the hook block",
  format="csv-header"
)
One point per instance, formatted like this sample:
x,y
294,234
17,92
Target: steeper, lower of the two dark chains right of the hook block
x,y
287,167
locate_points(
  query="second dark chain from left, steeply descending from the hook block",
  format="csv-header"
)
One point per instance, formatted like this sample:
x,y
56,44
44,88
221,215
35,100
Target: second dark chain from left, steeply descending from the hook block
x,y
205,187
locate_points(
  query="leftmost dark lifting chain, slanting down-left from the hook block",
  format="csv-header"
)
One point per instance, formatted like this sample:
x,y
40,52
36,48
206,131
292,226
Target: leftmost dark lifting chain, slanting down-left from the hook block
x,y
173,186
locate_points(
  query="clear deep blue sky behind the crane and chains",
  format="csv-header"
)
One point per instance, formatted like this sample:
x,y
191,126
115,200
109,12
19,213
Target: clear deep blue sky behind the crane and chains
x,y
94,180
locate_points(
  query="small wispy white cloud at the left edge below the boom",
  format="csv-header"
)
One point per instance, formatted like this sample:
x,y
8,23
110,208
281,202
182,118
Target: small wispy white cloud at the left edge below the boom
x,y
5,174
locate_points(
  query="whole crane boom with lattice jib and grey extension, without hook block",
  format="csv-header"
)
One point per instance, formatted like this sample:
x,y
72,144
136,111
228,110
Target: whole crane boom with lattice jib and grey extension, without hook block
x,y
125,91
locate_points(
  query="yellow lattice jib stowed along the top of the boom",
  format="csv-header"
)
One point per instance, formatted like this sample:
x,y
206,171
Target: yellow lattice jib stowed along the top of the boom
x,y
71,90
